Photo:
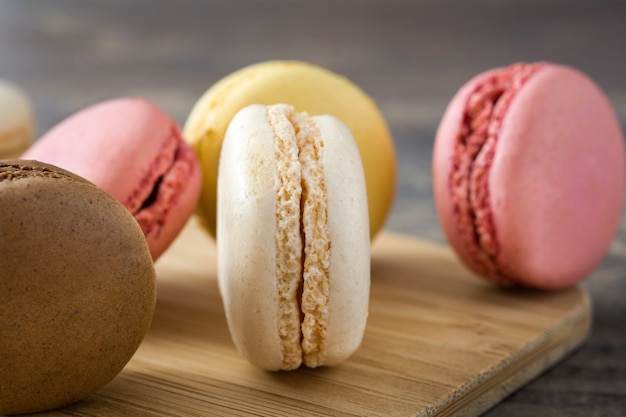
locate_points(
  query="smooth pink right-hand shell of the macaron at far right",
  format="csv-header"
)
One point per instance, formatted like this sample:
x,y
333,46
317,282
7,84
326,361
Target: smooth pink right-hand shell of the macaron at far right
x,y
557,180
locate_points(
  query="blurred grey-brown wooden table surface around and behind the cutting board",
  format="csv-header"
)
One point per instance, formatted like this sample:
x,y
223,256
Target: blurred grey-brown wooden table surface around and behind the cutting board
x,y
410,56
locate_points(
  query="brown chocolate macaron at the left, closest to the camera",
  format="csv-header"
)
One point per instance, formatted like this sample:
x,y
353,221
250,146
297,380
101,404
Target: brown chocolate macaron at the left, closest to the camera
x,y
77,287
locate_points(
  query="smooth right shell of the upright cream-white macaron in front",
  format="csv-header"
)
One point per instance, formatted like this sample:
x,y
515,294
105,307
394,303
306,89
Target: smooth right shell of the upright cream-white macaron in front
x,y
350,243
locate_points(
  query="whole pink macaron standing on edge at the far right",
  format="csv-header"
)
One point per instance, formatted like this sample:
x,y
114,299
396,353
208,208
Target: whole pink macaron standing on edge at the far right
x,y
528,171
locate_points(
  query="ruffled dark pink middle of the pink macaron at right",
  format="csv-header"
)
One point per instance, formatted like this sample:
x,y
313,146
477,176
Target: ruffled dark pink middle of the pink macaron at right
x,y
473,156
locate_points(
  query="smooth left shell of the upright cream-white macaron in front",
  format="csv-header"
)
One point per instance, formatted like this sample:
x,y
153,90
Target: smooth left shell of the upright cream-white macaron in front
x,y
246,229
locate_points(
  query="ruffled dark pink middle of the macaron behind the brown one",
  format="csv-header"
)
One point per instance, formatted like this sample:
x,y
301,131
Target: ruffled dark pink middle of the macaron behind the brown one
x,y
162,184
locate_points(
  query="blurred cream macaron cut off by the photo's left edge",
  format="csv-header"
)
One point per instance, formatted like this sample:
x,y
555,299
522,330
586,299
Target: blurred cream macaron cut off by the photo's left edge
x,y
17,122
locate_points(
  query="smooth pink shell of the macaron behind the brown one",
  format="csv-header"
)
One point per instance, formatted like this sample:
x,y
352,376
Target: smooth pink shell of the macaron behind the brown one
x,y
106,144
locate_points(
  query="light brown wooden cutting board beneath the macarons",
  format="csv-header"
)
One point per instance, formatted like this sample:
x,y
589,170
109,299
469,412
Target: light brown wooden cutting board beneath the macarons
x,y
439,341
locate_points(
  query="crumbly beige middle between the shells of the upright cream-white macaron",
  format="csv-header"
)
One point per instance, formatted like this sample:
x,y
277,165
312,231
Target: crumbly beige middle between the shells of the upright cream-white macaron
x,y
302,239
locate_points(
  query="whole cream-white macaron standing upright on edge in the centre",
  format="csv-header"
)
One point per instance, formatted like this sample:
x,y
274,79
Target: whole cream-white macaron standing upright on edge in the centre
x,y
292,238
